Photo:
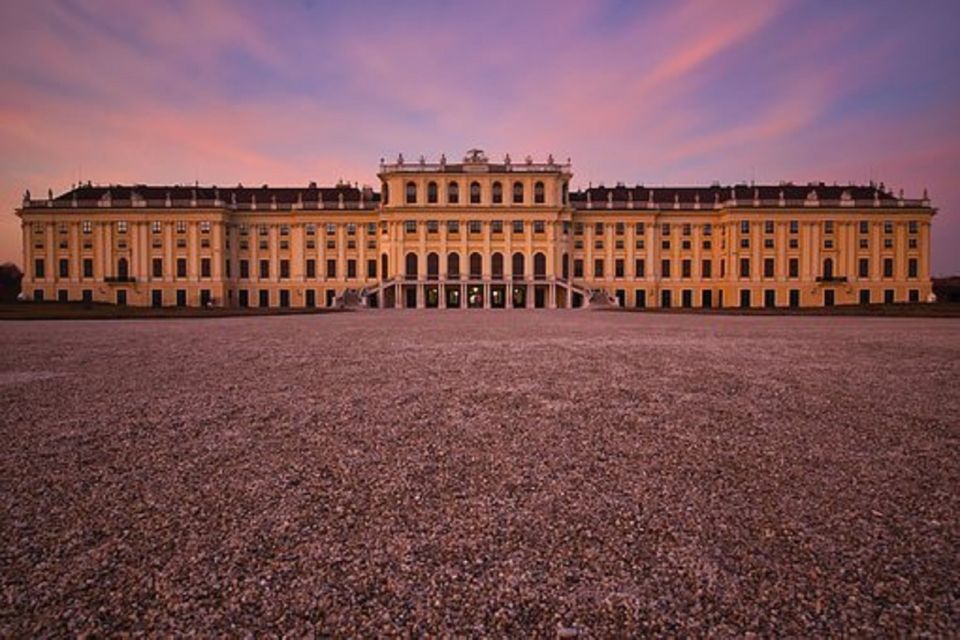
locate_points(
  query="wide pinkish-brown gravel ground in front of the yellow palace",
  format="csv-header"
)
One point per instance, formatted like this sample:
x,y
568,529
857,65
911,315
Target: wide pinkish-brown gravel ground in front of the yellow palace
x,y
481,473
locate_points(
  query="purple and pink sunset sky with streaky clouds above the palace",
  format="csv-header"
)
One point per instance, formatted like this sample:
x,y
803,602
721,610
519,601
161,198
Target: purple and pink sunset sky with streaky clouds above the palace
x,y
656,93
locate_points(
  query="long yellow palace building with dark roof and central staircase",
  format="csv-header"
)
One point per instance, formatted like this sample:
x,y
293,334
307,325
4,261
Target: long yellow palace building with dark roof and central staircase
x,y
478,234
